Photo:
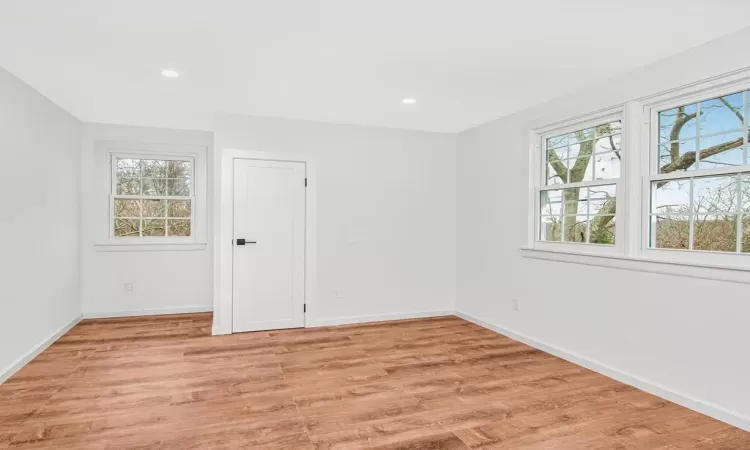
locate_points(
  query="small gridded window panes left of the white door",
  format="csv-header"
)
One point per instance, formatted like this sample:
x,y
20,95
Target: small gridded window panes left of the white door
x,y
152,197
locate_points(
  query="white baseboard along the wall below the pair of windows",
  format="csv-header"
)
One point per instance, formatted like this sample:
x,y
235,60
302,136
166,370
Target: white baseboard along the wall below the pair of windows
x,y
701,406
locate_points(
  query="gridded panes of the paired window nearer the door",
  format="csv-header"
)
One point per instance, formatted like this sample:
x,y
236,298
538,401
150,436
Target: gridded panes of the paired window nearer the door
x,y
578,194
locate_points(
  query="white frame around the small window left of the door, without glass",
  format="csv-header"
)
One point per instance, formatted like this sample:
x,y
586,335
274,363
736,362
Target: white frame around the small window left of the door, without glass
x,y
106,188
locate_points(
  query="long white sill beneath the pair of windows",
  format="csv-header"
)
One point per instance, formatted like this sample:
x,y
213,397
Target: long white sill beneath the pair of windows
x,y
648,264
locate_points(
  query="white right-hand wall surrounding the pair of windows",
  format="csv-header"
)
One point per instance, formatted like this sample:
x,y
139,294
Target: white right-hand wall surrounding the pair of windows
x,y
688,335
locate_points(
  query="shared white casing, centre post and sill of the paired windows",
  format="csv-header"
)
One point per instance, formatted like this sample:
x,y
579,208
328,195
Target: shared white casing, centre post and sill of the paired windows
x,y
640,147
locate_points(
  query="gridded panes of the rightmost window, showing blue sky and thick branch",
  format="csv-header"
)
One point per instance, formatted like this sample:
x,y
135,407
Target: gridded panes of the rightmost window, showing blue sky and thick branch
x,y
699,180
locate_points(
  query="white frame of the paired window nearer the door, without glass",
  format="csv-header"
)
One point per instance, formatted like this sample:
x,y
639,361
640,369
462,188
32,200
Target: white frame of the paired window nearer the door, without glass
x,y
538,166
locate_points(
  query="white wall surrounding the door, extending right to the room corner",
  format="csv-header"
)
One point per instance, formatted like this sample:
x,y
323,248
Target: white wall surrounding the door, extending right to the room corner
x,y
385,216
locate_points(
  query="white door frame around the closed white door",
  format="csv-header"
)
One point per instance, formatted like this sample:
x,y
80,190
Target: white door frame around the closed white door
x,y
224,231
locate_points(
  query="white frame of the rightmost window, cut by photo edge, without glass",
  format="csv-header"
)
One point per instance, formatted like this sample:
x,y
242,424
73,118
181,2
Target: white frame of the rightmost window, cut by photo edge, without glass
x,y
650,146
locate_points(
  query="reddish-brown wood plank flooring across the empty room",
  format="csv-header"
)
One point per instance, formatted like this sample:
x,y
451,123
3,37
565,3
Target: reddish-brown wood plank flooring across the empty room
x,y
443,383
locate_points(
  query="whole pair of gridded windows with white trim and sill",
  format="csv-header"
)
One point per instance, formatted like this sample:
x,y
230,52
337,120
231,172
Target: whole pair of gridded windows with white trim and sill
x,y
659,184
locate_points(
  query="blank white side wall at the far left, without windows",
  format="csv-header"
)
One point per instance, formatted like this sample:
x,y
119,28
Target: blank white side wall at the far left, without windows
x,y
39,149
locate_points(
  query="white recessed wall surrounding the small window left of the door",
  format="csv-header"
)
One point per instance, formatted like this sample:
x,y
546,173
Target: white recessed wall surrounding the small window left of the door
x,y
163,281
